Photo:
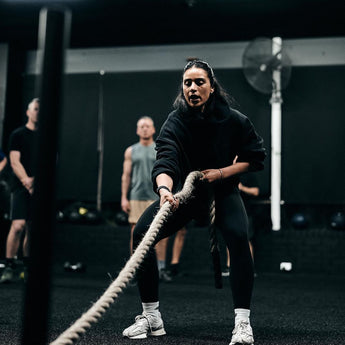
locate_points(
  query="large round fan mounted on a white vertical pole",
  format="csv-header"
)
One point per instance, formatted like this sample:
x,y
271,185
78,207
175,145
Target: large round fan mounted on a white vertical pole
x,y
267,68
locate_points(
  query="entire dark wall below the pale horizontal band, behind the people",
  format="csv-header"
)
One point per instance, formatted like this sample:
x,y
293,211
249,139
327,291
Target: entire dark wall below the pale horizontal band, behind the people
x,y
313,144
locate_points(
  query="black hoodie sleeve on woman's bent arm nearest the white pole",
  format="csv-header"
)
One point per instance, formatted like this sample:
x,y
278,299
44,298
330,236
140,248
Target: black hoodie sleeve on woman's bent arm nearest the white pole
x,y
251,148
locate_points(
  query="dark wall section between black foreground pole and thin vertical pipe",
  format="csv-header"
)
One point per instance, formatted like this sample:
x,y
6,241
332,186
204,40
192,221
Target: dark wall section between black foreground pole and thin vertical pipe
x,y
78,162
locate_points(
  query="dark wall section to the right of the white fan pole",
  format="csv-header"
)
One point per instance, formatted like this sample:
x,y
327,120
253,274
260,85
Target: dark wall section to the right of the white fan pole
x,y
314,136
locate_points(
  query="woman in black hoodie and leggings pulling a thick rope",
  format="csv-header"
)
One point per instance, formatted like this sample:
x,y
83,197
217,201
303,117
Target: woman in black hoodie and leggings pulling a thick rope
x,y
202,133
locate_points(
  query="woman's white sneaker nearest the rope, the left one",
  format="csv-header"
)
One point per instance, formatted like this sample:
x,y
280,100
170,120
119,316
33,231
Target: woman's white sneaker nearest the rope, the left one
x,y
144,326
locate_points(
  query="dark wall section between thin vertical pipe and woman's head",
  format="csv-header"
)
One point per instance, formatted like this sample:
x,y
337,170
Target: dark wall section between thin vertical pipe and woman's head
x,y
127,97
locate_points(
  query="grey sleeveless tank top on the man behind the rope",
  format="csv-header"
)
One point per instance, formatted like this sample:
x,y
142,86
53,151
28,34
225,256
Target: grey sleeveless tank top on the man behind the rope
x,y
143,158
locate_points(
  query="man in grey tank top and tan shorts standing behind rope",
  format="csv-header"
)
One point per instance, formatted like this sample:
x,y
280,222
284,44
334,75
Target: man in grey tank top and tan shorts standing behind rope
x,y
137,190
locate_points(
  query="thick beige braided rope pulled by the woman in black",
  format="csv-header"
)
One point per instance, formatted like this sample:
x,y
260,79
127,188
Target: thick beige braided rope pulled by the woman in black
x,y
73,333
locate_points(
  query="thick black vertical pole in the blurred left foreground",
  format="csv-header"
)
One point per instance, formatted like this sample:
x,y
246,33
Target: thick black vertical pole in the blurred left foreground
x,y
53,33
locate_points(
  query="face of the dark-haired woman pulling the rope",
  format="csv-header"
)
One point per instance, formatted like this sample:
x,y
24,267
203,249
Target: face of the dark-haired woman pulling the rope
x,y
196,87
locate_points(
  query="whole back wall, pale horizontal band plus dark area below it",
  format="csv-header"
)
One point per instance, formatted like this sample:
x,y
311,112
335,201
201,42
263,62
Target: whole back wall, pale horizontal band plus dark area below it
x,y
144,80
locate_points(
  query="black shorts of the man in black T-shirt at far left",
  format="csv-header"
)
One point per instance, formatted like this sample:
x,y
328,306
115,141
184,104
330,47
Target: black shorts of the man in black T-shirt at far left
x,y
21,204
